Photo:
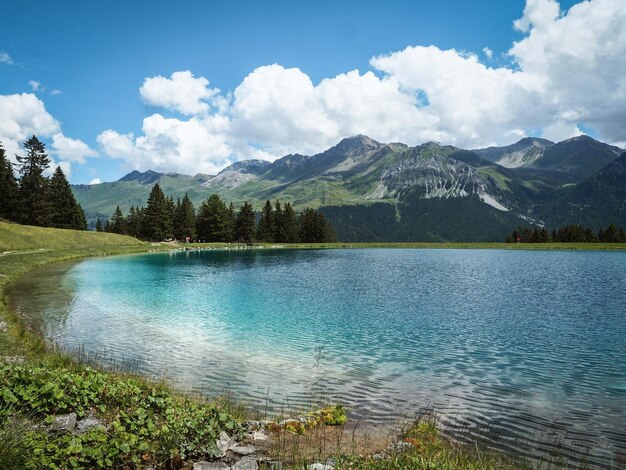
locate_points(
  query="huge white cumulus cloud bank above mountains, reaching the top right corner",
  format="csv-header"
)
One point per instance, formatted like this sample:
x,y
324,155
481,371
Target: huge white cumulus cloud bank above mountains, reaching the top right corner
x,y
567,72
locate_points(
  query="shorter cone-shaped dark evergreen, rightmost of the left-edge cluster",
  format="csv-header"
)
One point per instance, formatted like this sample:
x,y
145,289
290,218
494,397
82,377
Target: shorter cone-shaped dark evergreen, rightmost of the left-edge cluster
x,y
65,211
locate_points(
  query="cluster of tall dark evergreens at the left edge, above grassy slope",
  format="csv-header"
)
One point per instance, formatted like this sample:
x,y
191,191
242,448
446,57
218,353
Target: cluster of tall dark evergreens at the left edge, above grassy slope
x,y
34,198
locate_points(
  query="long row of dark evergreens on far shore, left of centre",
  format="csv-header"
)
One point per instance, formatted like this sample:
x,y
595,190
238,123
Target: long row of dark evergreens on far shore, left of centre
x,y
216,221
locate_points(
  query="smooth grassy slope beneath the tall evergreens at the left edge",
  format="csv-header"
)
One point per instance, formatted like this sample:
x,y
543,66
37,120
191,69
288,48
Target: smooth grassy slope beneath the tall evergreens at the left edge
x,y
15,237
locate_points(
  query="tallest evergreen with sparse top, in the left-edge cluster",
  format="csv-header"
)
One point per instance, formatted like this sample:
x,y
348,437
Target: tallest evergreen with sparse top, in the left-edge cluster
x,y
33,187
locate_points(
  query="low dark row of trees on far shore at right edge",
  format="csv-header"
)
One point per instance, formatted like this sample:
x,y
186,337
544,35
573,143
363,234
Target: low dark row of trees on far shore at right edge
x,y
567,234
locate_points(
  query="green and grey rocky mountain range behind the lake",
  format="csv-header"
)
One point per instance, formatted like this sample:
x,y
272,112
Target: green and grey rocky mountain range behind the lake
x,y
374,191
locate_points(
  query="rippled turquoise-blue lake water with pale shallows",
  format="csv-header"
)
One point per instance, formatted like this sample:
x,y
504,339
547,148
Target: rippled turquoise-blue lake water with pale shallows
x,y
525,350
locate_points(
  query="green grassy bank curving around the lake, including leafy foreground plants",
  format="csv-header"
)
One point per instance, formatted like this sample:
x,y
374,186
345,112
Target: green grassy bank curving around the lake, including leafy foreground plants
x,y
149,424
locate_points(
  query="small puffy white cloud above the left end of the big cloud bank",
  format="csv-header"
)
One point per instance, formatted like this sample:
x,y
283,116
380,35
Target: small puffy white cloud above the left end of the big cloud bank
x,y
181,92
